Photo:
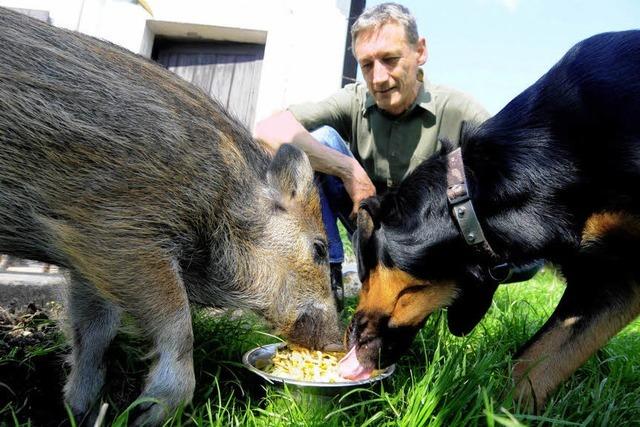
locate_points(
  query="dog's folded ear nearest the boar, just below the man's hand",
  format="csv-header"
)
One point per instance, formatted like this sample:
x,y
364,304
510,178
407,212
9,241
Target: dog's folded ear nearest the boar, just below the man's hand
x,y
363,244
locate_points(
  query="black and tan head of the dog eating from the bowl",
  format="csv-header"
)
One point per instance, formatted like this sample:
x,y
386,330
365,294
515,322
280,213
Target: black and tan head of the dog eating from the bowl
x,y
408,272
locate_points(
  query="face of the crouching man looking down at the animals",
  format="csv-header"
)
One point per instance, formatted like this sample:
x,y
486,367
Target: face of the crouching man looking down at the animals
x,y
390,66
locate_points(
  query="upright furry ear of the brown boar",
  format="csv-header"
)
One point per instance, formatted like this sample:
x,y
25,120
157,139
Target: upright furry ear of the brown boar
x,y
290,173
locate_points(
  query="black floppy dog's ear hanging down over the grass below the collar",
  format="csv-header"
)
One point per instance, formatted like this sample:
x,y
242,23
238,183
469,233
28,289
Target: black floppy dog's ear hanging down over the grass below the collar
x,y
471,304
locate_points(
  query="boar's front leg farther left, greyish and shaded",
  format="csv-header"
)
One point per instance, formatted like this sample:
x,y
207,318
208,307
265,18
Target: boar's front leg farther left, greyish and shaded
x,y
94,322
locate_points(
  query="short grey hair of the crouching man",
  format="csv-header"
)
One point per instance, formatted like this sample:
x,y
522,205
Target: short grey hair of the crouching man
x,y
376,16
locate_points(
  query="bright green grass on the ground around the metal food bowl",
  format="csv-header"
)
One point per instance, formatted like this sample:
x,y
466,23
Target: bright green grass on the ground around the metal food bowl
x,y
442,381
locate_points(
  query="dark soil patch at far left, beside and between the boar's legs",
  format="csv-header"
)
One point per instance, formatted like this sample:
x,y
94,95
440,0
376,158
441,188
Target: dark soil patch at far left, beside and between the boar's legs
x,y
33,367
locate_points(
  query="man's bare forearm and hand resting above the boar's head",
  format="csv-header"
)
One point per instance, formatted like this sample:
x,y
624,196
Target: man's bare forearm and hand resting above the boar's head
x,y
283,128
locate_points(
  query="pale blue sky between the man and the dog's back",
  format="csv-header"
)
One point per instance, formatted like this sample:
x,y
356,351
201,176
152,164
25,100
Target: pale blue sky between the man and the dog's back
x,y
494,49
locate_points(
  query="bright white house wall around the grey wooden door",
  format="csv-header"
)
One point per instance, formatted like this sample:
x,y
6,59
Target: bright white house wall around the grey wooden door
x,y
304,39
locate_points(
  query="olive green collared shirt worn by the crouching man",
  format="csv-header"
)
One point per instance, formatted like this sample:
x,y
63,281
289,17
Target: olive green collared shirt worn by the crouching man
x,y
390,147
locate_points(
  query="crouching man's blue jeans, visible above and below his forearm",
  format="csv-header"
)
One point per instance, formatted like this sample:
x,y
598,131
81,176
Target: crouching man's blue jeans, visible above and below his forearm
x,y
334,199
